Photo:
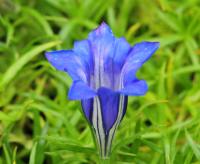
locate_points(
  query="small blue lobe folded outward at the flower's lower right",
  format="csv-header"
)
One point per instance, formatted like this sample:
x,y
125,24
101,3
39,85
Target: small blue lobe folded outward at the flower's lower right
x,y
136,88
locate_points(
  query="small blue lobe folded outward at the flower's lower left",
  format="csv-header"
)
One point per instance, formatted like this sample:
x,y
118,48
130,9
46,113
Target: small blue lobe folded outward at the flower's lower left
x,y
80,91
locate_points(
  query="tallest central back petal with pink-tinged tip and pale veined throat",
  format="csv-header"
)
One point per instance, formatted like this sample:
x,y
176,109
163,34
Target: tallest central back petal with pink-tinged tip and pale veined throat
x,y
102,47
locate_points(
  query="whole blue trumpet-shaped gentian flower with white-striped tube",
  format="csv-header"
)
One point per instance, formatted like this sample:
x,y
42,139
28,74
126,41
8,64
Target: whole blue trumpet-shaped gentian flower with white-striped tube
x,y
103,69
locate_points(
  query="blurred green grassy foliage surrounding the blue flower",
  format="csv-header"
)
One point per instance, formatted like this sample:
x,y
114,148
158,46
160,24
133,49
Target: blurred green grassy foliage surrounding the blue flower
x,y
39,125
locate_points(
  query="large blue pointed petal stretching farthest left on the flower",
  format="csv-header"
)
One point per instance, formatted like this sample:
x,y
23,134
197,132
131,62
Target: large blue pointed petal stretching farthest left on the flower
x,y
66,60
